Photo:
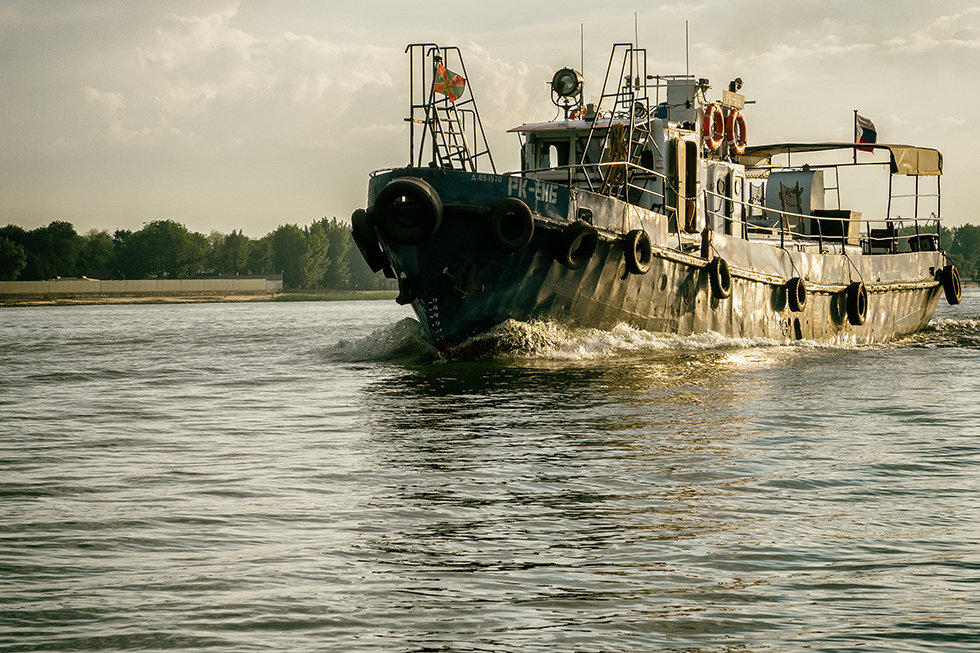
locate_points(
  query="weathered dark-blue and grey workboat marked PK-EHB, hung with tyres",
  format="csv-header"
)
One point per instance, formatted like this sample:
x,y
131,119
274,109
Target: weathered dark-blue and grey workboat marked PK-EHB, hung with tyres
x,y
649,207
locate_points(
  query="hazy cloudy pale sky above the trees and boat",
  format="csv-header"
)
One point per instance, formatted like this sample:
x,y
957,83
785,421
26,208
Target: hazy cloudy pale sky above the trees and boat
x,y
249,114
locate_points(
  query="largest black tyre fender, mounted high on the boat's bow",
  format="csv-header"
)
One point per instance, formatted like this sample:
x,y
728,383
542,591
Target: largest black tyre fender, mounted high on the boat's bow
x,y
408,211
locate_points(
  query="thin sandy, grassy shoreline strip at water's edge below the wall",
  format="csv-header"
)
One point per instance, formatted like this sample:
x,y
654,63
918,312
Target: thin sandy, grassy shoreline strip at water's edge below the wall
x,y
89,300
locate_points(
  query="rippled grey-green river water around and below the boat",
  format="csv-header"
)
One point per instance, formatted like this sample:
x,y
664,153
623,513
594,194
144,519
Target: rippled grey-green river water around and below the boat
x,y
309,477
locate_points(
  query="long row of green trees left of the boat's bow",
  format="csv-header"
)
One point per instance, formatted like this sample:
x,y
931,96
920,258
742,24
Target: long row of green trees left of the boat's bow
x,y
321,255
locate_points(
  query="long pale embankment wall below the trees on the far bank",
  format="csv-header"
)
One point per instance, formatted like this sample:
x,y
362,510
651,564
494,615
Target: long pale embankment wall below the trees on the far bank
x,y
145,287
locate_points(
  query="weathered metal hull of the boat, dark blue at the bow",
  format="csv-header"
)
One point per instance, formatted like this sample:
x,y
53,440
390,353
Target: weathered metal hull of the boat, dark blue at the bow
x,y
461,283
